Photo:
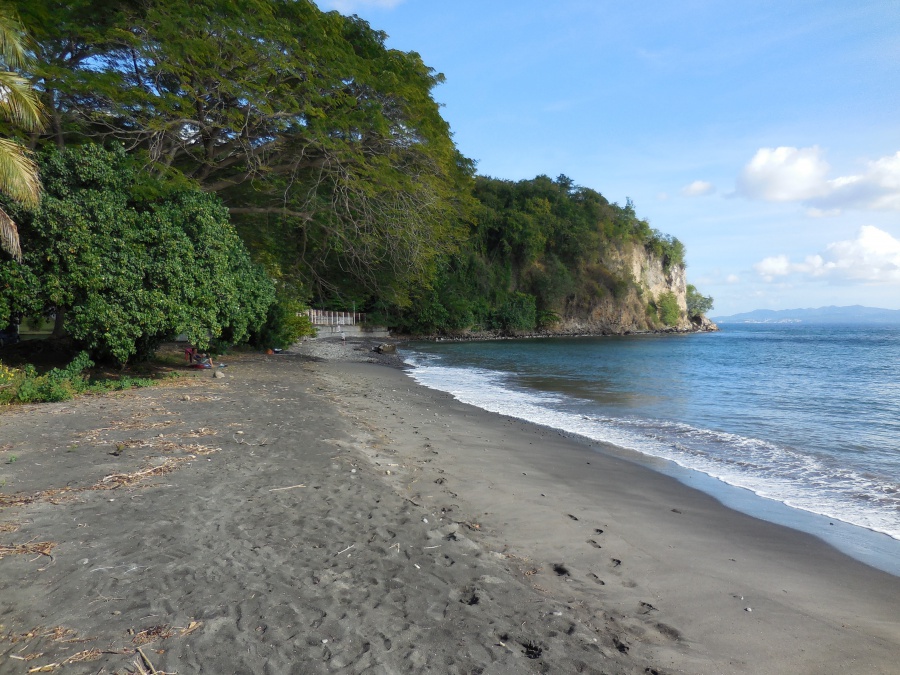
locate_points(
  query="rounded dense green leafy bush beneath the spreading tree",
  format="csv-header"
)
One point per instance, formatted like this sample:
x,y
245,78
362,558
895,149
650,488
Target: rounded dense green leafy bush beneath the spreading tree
x,y
125,261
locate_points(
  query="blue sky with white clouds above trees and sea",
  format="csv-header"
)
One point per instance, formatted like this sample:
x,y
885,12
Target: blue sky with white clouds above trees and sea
x,y
764,135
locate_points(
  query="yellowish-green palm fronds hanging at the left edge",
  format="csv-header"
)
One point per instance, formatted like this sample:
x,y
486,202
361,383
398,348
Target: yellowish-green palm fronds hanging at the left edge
x,y
20,107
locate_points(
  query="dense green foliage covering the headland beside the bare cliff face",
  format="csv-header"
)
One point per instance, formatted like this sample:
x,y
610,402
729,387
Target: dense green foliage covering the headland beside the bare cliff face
x,y
535,248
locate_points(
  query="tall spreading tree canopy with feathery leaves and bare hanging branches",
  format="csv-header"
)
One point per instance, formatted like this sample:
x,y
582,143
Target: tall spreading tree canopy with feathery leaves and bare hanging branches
x,y
307,126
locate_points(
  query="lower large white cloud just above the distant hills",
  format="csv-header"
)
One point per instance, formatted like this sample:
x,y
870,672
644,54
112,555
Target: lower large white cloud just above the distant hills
x,y
874,256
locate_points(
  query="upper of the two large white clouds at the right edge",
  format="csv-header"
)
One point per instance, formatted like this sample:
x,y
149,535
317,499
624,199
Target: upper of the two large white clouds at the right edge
x,y
787,174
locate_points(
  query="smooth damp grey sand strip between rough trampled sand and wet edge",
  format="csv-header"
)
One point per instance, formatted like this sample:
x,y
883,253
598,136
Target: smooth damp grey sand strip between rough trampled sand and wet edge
x,y
713,567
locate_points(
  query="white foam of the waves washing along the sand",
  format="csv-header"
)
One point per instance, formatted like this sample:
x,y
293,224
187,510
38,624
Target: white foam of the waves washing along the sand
x,y
795,478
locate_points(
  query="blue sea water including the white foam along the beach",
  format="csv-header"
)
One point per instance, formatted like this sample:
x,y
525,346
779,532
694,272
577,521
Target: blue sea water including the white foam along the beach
x,y
807,416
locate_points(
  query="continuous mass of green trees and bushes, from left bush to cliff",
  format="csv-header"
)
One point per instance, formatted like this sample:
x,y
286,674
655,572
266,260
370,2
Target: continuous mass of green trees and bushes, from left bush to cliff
x,y
184,140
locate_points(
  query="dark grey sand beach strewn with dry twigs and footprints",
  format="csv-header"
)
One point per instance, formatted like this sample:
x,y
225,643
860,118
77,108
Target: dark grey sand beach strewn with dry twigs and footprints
x,y
332,516
